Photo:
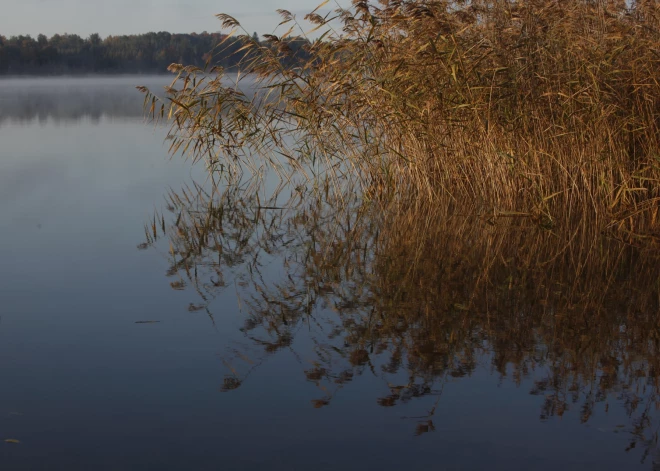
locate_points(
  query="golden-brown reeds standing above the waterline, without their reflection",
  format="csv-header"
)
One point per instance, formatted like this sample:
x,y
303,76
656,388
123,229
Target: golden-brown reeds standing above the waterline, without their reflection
x,y
543,109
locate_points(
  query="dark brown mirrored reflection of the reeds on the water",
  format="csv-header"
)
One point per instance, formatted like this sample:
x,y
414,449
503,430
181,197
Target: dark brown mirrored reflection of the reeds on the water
x,y
418,296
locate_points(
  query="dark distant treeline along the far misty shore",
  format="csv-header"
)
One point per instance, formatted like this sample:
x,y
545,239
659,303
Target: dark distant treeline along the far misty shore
x,y
142,53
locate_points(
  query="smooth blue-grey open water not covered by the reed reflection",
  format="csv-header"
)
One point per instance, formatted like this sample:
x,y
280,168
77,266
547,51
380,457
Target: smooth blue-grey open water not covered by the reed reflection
x,y
86,383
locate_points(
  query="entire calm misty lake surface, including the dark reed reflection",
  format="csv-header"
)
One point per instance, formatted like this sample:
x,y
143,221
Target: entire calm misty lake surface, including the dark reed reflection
x,y
237,336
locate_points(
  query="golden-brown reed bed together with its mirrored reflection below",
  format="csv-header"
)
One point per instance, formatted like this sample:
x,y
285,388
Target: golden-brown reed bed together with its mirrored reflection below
x,y
499,139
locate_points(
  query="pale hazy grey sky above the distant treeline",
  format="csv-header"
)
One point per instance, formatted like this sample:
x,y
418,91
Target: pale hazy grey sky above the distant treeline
x,y
107,17
